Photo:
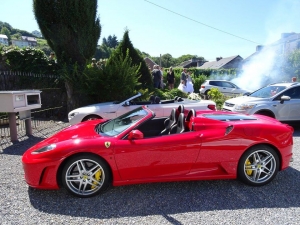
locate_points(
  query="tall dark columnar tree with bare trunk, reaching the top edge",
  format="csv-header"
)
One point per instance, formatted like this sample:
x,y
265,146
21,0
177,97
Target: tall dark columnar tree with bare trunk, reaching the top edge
x,y
72,29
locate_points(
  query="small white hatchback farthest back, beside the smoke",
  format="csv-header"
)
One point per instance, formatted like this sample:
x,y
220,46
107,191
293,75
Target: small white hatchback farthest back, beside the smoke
x,y
227,88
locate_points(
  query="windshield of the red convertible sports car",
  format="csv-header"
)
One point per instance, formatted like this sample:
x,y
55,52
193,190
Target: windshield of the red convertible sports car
x,y
118,125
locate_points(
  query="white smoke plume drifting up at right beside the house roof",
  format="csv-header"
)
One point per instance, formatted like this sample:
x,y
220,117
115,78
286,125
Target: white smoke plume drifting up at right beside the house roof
x,y
267,65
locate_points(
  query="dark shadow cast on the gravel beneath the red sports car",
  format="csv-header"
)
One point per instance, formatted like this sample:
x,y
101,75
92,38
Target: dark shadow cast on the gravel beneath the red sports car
x,y
171,198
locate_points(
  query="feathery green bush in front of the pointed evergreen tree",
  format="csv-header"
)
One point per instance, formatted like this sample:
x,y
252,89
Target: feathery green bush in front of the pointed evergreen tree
x,y
117,80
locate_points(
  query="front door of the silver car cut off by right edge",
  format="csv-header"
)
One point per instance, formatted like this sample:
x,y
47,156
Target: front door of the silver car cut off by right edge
x,y
288,110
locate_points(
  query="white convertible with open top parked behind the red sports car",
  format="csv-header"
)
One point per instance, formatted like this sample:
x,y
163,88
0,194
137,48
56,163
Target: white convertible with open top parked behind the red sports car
x,y
109,110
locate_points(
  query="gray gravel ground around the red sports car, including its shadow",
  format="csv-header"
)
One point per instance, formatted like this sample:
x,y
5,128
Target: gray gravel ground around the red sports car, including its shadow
x,y
197,202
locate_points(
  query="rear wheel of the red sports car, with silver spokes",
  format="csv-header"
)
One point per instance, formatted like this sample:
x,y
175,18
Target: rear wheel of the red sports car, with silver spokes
x,y
258,165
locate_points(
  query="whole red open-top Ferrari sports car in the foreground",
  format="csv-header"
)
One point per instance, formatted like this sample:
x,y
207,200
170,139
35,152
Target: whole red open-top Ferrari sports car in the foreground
x,y
136,147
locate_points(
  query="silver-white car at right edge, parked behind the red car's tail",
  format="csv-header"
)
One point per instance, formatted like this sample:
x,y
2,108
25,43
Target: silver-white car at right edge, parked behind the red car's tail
x,y
280,101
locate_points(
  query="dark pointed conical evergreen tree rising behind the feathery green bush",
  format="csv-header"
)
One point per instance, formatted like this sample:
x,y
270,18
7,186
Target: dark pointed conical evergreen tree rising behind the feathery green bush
x,y
137,59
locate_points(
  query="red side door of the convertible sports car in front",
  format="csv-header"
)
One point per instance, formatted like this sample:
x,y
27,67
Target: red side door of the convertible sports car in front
x,y
168,155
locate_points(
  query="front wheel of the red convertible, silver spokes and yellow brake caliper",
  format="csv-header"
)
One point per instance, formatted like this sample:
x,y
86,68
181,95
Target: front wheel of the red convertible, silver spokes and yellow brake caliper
x,y
92,178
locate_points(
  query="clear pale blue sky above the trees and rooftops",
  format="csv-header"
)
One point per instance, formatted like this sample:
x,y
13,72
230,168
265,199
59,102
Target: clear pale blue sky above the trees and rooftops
x,y
208,28
